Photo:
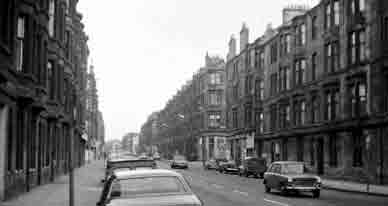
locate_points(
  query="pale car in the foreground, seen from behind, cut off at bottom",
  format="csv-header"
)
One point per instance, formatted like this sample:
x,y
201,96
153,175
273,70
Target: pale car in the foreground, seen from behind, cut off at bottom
x,y
147,188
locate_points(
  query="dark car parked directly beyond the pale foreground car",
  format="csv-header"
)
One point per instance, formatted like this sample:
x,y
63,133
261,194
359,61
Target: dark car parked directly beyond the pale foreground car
x,y
127,164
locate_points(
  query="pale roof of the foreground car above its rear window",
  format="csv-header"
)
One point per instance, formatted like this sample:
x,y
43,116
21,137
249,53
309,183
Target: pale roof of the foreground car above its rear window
x,y
145,173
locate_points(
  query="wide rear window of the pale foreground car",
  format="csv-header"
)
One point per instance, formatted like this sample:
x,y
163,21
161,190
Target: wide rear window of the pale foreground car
x,y
147,185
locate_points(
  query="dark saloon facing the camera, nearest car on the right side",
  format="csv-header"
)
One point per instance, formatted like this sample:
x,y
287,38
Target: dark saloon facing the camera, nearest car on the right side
x,y
287,176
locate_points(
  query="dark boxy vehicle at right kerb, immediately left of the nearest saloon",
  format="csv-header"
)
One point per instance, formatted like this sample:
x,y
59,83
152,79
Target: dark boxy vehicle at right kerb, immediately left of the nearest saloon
x,y
253,166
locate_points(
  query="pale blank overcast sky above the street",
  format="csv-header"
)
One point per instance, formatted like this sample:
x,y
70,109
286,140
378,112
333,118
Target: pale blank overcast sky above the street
x,y
145,50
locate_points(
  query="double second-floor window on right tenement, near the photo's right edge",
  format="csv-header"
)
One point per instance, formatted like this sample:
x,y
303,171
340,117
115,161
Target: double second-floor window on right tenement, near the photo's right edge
x,y
357,46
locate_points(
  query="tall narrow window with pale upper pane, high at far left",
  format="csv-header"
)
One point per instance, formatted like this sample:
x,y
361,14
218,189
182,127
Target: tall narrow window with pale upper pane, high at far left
x,y
20,43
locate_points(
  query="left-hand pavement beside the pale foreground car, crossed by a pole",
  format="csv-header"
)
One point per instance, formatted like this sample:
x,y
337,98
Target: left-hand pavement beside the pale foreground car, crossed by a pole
x,y
87,189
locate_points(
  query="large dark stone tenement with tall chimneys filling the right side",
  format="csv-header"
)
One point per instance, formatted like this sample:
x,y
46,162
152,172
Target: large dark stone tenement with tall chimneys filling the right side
x,y
319,94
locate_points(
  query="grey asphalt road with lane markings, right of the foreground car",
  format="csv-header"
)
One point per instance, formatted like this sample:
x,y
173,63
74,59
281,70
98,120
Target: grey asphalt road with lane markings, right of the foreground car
x,y
217,189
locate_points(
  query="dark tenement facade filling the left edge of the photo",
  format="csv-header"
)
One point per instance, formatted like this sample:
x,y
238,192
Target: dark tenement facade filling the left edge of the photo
x,y
43,58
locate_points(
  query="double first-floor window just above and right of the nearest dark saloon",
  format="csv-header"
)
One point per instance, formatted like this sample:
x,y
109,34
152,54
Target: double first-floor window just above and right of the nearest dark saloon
x,y
332,106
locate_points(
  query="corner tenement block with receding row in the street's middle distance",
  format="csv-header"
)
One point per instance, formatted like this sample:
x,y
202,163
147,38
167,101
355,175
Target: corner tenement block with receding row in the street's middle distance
x,y
193,122
